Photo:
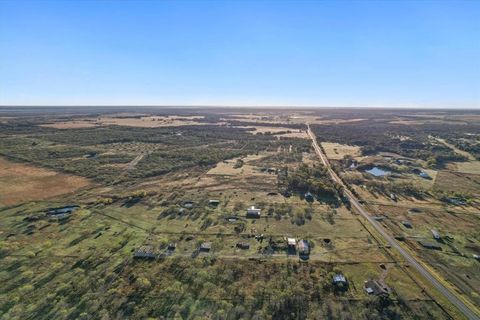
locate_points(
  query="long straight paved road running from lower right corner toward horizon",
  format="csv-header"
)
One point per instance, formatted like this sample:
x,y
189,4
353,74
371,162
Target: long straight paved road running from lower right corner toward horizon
x,y
464,308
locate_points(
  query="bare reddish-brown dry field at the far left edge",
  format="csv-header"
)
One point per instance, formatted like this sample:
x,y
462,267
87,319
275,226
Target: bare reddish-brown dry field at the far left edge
x,y
21,183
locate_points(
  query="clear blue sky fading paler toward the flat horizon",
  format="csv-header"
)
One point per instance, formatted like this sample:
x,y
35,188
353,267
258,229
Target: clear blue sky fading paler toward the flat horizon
x,y
316,53
